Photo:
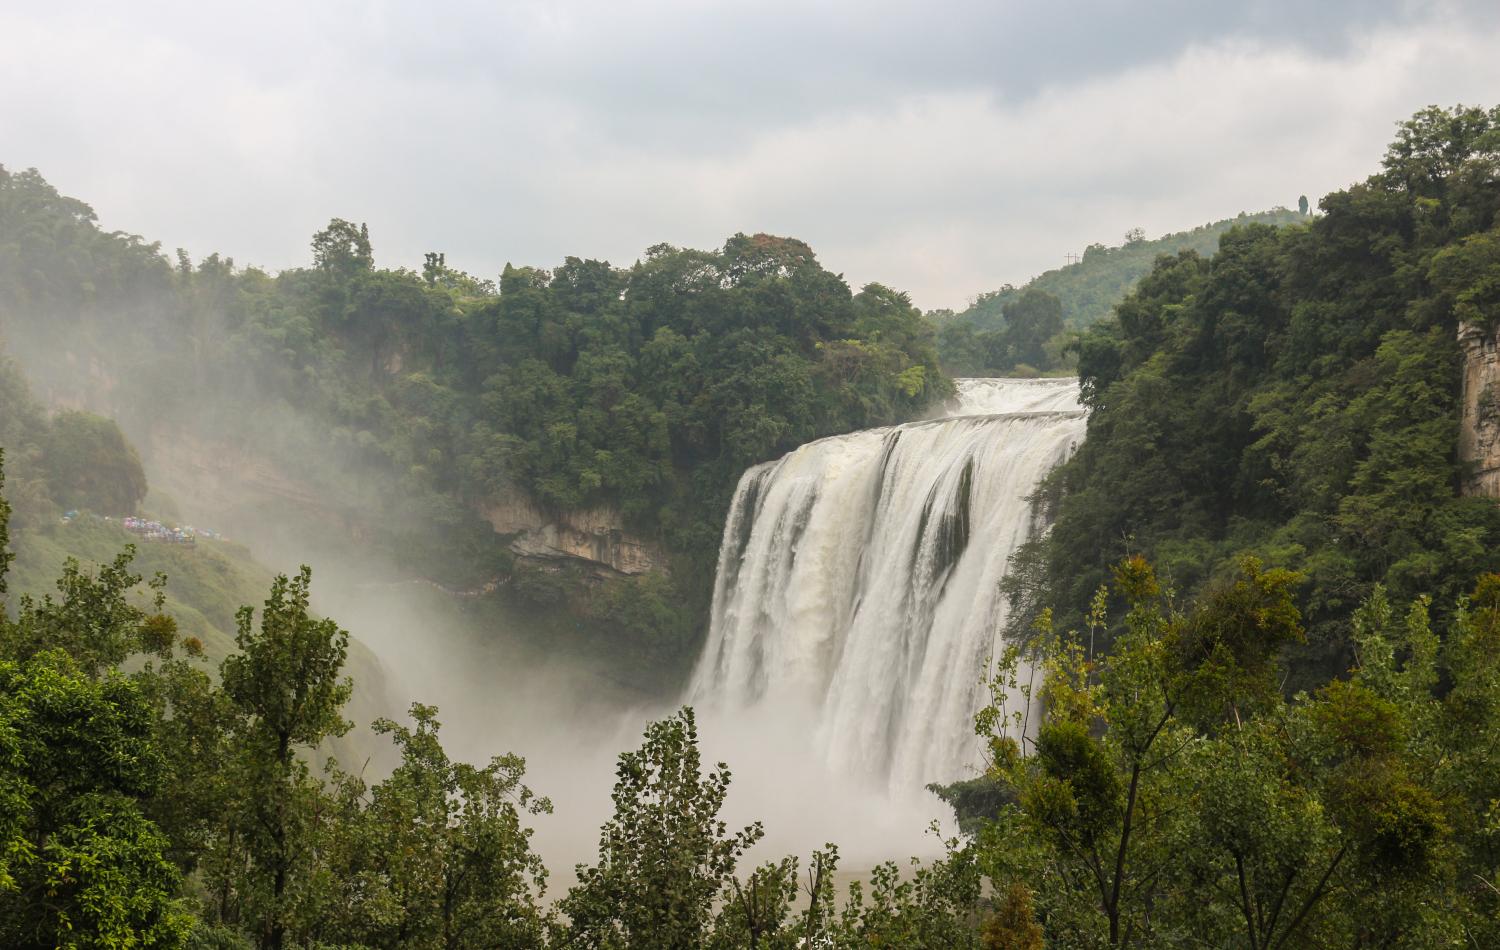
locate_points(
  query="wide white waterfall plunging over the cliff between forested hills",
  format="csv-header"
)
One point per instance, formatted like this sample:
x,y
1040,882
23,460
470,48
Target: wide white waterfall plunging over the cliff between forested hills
x,y
860,579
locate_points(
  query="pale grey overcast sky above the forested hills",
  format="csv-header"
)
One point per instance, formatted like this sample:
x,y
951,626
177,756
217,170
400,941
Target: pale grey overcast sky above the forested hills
x,y
940,148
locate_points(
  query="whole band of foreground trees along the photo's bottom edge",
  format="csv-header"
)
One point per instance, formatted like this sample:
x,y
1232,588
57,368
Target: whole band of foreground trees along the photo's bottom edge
x,y
1171,796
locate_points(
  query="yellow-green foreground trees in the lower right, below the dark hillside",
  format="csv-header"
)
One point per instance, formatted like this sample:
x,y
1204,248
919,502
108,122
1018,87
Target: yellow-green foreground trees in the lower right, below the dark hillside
x,y
1172,796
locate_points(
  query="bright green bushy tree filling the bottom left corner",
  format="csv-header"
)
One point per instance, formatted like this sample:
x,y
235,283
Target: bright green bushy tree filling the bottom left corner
x,y
80,865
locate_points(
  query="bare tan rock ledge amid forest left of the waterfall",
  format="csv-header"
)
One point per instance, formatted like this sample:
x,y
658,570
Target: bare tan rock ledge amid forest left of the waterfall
x,y
593,535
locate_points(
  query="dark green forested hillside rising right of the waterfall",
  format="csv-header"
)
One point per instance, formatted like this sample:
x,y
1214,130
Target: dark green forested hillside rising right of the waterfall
x,y
1297,398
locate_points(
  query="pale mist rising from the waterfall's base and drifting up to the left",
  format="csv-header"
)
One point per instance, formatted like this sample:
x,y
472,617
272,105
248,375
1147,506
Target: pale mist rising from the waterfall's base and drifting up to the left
x,y
265,480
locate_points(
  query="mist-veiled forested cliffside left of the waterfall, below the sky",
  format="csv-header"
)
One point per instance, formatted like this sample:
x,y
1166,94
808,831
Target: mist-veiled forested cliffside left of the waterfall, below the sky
x,y
400,404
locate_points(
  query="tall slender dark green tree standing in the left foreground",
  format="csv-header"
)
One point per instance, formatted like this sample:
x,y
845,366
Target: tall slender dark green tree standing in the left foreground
x,y
286,687
